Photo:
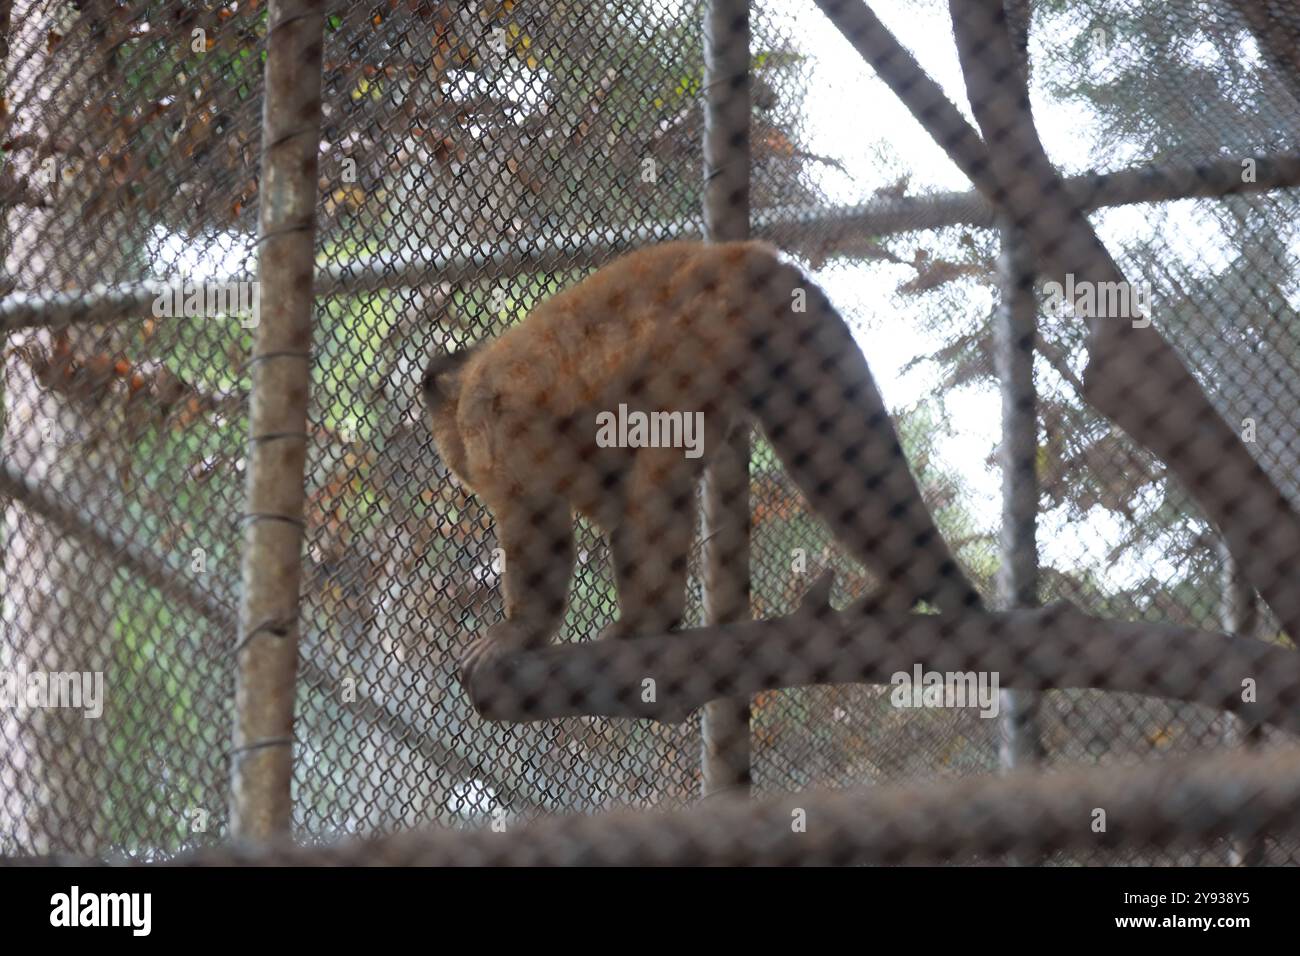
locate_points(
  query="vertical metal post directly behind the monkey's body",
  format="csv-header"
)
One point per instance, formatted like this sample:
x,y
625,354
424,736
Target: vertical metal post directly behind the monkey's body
x,y
725,724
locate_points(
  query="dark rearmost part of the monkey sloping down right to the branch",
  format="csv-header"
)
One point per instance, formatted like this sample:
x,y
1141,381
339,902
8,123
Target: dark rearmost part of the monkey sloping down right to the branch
x,y
817,400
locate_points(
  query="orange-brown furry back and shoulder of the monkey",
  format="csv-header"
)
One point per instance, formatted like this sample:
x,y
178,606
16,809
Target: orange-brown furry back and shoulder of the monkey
x,y
653,330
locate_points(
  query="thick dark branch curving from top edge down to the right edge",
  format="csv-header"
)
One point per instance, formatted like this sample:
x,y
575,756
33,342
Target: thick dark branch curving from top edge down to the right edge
x,y
1133,375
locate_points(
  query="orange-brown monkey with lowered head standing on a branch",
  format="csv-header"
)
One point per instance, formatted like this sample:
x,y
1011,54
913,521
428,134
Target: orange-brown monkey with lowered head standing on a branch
x,y
729,334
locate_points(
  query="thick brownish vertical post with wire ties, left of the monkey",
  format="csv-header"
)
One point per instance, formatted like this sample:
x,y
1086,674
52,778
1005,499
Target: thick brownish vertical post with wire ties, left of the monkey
x,y
267,652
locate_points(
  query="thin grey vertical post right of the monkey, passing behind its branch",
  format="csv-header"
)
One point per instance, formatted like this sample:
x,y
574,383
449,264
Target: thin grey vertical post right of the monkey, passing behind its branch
x,y
1015,326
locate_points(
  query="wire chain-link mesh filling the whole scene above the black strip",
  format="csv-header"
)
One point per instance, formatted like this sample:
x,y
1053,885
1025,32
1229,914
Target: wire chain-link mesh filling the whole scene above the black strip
x,y
631,263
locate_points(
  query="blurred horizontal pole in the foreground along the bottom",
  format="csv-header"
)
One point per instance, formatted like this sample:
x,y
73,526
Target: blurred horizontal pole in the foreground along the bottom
x,y
1172,804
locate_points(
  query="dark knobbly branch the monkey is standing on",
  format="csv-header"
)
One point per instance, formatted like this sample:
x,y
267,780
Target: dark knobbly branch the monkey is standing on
x,y
666,677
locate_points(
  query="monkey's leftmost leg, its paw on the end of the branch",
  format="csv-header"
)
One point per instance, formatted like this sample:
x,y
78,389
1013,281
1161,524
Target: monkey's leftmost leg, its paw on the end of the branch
x,y
538,538
